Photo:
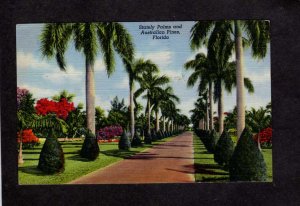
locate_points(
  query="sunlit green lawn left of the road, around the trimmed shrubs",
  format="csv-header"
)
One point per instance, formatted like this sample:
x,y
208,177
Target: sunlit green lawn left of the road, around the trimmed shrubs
x,y
75,166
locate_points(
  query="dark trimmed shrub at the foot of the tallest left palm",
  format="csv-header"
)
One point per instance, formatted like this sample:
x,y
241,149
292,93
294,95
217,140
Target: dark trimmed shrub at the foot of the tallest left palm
x,y
90,148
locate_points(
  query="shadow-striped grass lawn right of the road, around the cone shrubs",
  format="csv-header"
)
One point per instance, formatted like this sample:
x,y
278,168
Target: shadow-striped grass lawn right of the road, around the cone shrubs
x,y
207,170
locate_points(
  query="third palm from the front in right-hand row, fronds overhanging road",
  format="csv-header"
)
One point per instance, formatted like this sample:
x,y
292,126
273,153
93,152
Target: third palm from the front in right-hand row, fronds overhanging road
x,y
203,73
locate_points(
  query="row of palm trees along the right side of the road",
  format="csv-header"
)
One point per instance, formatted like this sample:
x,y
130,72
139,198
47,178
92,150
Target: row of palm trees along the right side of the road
x,y
221,39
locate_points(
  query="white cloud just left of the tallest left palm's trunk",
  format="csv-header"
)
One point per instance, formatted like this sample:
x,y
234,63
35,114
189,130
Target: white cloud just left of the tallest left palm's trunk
x,y
60,77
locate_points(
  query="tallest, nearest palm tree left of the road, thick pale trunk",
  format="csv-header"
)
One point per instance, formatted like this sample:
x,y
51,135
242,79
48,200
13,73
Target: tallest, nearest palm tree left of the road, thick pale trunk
x,y
88,39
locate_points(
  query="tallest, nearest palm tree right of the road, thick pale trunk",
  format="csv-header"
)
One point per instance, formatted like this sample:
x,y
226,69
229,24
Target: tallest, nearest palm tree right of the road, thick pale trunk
x,y
257,33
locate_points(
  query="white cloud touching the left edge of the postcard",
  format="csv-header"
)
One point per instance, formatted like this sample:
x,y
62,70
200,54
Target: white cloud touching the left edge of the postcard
x,y
27,60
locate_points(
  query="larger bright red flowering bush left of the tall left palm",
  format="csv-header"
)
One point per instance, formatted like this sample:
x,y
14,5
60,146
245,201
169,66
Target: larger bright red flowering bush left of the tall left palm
x,y
61,108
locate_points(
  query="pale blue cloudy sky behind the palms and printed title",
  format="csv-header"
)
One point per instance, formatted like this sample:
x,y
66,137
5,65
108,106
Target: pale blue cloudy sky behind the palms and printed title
x,y
42,77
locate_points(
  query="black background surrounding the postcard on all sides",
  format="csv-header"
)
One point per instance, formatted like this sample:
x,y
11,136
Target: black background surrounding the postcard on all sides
x,y
285,72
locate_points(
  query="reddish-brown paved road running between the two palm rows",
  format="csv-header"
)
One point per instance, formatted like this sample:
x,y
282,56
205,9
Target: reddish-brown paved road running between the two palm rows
x,y
170,162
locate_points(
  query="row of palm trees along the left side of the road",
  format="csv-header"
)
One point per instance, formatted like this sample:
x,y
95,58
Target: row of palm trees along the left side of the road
x,y
90,39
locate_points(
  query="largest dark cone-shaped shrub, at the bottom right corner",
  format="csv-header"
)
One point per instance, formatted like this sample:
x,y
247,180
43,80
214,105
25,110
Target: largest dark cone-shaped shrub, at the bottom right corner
x,y
247,162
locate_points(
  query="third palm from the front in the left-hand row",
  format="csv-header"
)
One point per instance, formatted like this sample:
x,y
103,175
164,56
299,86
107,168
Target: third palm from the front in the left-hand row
x,y
151,83
